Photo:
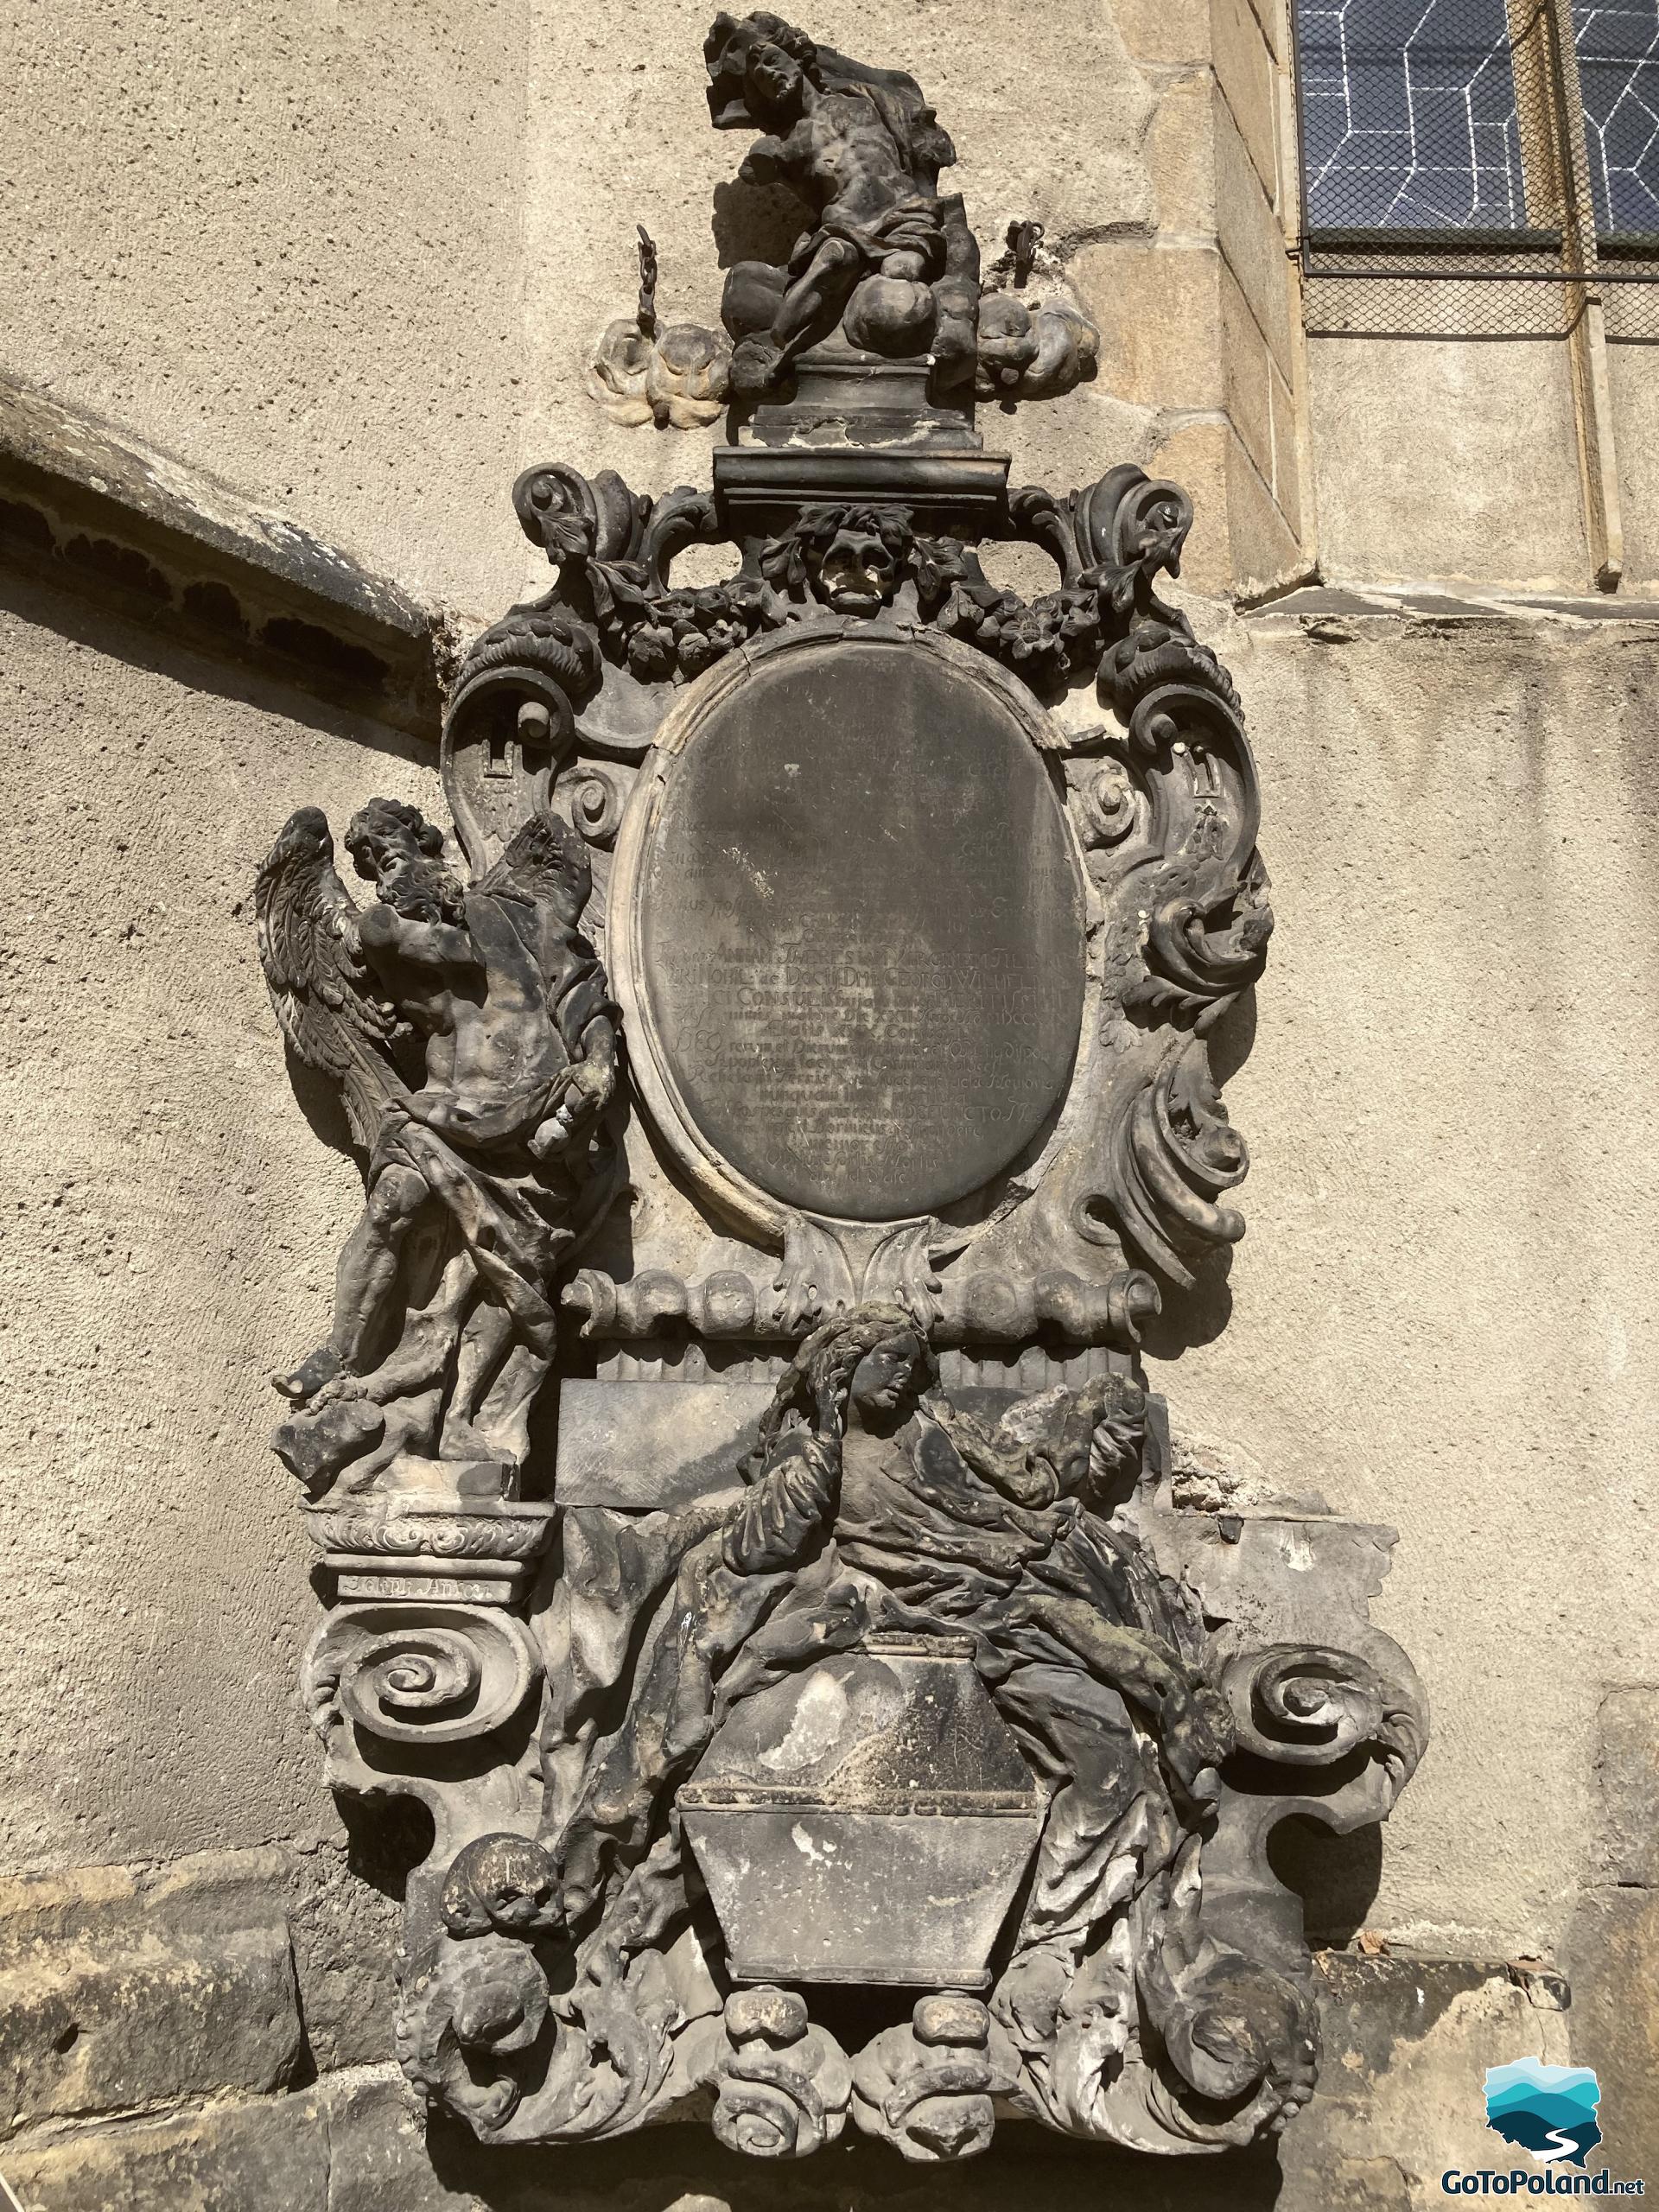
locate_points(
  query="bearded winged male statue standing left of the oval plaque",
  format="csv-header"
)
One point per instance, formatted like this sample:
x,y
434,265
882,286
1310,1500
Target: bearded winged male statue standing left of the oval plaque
x,y
474,1043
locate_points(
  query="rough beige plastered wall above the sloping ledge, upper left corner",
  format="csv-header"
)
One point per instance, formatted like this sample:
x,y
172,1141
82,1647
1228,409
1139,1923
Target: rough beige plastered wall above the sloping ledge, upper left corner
x,y
284,242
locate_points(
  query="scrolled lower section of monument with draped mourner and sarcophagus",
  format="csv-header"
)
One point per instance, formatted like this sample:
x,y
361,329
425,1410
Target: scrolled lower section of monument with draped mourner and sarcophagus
x,y
970,1735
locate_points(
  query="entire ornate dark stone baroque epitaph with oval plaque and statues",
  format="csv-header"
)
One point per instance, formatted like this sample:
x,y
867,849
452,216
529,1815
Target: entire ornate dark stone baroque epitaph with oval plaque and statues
x,y
793,1087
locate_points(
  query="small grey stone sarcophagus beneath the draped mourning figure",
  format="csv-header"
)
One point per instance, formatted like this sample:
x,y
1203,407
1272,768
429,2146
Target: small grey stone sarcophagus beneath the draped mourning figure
x,y
866,1822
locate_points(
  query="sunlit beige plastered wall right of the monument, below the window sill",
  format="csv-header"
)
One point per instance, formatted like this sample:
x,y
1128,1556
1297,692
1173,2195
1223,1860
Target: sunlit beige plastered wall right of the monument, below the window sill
x,y
1443,1313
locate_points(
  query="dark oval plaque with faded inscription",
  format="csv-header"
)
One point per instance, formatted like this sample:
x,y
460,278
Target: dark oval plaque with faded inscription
x,y
862,930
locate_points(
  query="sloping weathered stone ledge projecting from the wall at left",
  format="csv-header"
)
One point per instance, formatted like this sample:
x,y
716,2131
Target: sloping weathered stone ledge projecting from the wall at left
x,y
87,505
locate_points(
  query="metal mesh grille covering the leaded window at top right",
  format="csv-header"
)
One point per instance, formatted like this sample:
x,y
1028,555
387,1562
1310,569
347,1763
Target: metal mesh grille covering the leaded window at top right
x,y
1479,167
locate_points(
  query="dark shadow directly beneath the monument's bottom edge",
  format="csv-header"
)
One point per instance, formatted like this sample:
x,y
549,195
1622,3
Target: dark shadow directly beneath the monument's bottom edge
x,y
685,2169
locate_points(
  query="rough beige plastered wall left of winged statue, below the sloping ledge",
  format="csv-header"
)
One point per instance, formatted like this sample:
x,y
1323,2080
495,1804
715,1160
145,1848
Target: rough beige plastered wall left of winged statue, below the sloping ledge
x,y
171,1231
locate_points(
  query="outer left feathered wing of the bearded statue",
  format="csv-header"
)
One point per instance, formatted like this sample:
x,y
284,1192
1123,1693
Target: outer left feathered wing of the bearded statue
x,y
317,977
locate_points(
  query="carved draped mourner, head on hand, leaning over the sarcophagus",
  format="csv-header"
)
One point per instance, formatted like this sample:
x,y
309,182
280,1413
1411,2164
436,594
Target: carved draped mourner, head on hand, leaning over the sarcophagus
x,y
875,1503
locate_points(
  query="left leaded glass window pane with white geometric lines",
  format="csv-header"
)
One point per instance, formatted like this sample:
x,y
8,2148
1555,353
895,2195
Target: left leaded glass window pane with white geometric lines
x,y
1410,116
